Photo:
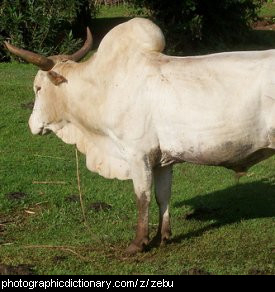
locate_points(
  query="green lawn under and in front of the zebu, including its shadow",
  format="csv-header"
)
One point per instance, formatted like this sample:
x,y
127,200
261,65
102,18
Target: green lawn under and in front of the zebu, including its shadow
x,y
218,227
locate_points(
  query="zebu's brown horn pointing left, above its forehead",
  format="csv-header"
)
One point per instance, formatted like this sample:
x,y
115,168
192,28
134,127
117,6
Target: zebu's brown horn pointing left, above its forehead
x,y
42,62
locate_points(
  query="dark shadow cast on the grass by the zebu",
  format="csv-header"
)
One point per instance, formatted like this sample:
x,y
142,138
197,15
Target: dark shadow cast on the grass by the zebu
x,y
232,205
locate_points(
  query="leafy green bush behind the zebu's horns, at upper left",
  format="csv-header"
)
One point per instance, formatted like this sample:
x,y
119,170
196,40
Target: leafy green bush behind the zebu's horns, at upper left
x,y
47,27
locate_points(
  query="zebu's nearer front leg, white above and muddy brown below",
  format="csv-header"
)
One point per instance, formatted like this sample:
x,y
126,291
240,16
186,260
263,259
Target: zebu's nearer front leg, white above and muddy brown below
x,y
142,179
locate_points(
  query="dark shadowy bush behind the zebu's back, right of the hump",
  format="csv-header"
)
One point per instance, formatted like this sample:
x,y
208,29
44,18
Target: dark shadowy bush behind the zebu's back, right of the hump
x,y
198,22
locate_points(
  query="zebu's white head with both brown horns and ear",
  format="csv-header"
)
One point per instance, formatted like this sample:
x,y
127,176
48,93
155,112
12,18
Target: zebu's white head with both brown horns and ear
x,y
48,107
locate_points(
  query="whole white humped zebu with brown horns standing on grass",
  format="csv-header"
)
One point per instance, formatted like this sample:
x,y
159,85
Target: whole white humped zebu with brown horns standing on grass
x,y
135,112
